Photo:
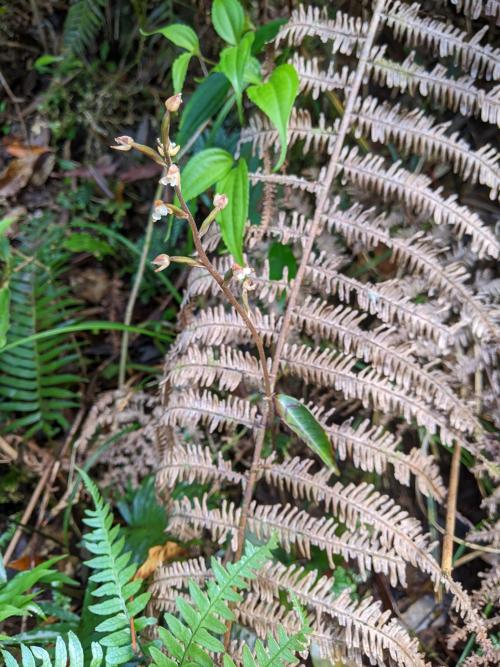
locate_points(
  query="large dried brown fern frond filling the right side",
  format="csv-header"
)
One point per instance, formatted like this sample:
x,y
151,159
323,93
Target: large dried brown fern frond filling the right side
x,y
390,318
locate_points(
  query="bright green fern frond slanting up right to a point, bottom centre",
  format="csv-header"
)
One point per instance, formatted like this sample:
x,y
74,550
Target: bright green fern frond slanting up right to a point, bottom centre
x,y
190,638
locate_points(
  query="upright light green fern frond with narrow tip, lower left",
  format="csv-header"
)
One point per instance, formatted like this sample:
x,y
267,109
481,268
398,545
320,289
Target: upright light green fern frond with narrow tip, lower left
x,y
115,575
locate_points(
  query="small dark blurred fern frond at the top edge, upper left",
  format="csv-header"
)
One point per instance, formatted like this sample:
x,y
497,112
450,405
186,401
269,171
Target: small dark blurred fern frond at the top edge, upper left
x,y
84,21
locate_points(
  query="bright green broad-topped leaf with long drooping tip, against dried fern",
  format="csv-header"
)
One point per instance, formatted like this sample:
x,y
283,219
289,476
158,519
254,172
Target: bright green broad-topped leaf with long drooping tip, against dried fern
x,y
275,98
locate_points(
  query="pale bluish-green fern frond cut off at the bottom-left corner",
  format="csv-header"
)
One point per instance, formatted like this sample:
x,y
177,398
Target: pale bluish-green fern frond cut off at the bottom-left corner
x,y
73,651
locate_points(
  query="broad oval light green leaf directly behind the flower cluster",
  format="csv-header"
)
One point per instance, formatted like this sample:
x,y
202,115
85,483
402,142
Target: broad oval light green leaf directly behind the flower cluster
x,y
203,170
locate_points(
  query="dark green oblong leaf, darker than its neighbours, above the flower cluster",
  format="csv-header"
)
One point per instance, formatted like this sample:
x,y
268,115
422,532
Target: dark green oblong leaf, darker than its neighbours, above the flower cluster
x,y
205,102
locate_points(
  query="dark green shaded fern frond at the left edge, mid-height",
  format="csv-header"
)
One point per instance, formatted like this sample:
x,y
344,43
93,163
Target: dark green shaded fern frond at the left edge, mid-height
x,y
36,386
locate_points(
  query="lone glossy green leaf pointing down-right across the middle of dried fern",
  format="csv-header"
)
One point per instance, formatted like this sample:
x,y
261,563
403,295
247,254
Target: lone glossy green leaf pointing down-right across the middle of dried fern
x,y
303,423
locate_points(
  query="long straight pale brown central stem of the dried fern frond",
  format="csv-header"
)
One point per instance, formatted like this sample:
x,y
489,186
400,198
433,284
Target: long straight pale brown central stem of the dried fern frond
x,y
294,293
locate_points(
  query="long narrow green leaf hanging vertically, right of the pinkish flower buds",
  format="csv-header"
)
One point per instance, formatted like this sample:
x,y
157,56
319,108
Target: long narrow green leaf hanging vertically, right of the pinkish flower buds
x,y
232,219
